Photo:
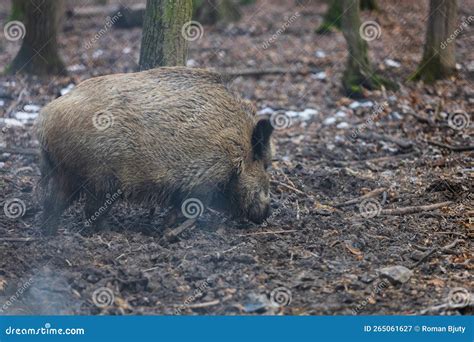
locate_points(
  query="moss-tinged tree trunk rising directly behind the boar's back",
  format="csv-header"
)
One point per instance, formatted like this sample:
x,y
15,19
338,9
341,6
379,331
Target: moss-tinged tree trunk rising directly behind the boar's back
x,y
164,41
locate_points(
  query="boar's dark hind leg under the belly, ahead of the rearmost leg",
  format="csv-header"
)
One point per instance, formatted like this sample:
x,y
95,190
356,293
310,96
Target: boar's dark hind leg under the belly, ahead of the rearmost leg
x,y
98,204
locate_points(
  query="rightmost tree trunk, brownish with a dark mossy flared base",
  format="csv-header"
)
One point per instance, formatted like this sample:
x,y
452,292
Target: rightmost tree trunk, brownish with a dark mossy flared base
x,y
438,57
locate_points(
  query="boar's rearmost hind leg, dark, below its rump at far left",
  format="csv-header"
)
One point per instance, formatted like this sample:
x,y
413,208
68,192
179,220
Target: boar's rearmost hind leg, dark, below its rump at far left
x,y
57,198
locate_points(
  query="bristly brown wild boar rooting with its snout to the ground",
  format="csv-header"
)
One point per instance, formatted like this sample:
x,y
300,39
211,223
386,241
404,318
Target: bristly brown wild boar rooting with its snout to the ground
x,y
155,137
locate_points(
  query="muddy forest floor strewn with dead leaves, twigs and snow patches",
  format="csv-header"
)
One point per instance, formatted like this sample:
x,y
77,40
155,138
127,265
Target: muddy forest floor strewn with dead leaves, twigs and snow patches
x,y
318,254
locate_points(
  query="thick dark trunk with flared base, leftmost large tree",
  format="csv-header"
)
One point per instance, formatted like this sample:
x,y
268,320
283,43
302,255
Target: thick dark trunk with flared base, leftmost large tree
x,y
39,51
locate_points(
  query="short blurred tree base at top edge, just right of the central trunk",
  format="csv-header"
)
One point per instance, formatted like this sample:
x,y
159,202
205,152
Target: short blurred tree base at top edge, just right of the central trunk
x,y
209,12
